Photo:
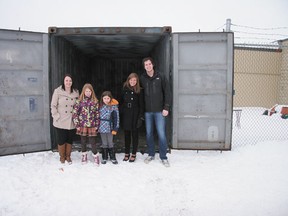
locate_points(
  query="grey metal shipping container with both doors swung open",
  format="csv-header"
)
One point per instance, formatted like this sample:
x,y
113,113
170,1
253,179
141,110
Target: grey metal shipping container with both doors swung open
x,y
199,67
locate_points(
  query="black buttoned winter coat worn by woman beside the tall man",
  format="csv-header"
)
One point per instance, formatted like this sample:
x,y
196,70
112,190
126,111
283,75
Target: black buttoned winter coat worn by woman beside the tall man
x,y
131,108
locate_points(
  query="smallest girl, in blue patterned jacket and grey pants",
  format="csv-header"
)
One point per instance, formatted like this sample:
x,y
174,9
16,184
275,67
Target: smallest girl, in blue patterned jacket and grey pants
x,y
109,125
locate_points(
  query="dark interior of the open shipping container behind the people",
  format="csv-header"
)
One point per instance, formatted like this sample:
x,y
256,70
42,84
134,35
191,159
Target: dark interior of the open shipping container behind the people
x,y
105,58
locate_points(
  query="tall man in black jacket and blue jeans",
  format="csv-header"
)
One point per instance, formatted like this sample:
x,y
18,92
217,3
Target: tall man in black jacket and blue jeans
x,y
157,104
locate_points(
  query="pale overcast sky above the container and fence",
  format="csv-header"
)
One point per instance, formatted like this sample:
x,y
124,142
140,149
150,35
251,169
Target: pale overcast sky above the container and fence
x,y
182,15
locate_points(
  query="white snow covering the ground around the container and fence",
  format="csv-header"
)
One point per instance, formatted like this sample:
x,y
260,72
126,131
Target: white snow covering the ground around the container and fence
x,y
249,180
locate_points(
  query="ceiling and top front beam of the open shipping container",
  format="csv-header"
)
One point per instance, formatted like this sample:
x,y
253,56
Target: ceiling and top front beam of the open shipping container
x,y
113,42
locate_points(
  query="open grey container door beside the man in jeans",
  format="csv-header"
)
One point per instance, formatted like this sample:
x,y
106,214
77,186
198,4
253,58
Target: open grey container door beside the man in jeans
x,y
202,90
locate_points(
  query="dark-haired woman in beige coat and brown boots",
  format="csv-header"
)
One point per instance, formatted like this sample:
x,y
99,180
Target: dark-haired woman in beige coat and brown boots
x,y
62,103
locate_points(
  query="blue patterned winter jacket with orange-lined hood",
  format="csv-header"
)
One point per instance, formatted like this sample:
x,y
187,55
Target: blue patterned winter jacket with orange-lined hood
x,y
109,117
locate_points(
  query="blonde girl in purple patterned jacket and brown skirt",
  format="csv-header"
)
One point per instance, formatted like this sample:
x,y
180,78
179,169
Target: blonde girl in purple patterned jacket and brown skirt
x,y
85,116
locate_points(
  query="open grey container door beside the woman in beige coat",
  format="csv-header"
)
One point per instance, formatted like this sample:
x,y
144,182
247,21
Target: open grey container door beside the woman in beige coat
x,y
24,98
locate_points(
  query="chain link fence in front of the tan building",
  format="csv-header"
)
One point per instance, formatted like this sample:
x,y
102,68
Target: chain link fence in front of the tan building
x,y
260,93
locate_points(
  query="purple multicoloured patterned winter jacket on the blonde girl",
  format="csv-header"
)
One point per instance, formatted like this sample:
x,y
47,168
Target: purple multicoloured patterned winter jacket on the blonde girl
x,y
86,113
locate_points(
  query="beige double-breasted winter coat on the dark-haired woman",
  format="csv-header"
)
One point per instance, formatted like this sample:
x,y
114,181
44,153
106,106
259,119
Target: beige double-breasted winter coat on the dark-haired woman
x,y
61,108
